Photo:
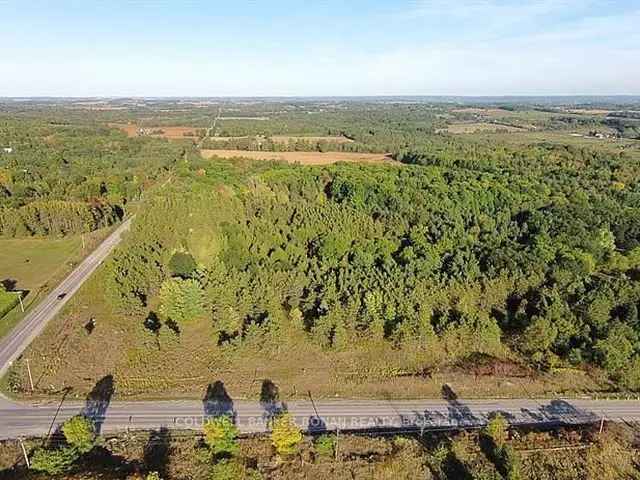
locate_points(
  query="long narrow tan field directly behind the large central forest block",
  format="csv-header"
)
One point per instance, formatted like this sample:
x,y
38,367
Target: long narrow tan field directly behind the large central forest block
x,y
304,158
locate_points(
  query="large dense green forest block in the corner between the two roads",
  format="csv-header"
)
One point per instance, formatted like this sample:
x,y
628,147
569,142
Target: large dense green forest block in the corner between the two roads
x,y
445,260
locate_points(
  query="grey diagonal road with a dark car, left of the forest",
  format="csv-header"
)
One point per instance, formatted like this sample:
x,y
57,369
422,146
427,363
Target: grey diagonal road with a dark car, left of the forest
x,y
34,322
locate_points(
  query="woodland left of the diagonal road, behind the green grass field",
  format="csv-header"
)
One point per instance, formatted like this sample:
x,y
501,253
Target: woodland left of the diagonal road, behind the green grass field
x,y
56,179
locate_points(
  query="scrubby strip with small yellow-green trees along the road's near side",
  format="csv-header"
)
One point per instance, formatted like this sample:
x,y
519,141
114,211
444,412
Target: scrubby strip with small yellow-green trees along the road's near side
x,y
496,452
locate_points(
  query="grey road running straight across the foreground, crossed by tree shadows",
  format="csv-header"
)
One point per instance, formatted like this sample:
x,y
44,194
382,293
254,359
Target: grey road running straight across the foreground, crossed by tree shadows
x,y
20,420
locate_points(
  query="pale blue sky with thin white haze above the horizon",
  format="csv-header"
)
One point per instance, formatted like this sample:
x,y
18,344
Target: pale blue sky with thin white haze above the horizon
x,y
316,48
